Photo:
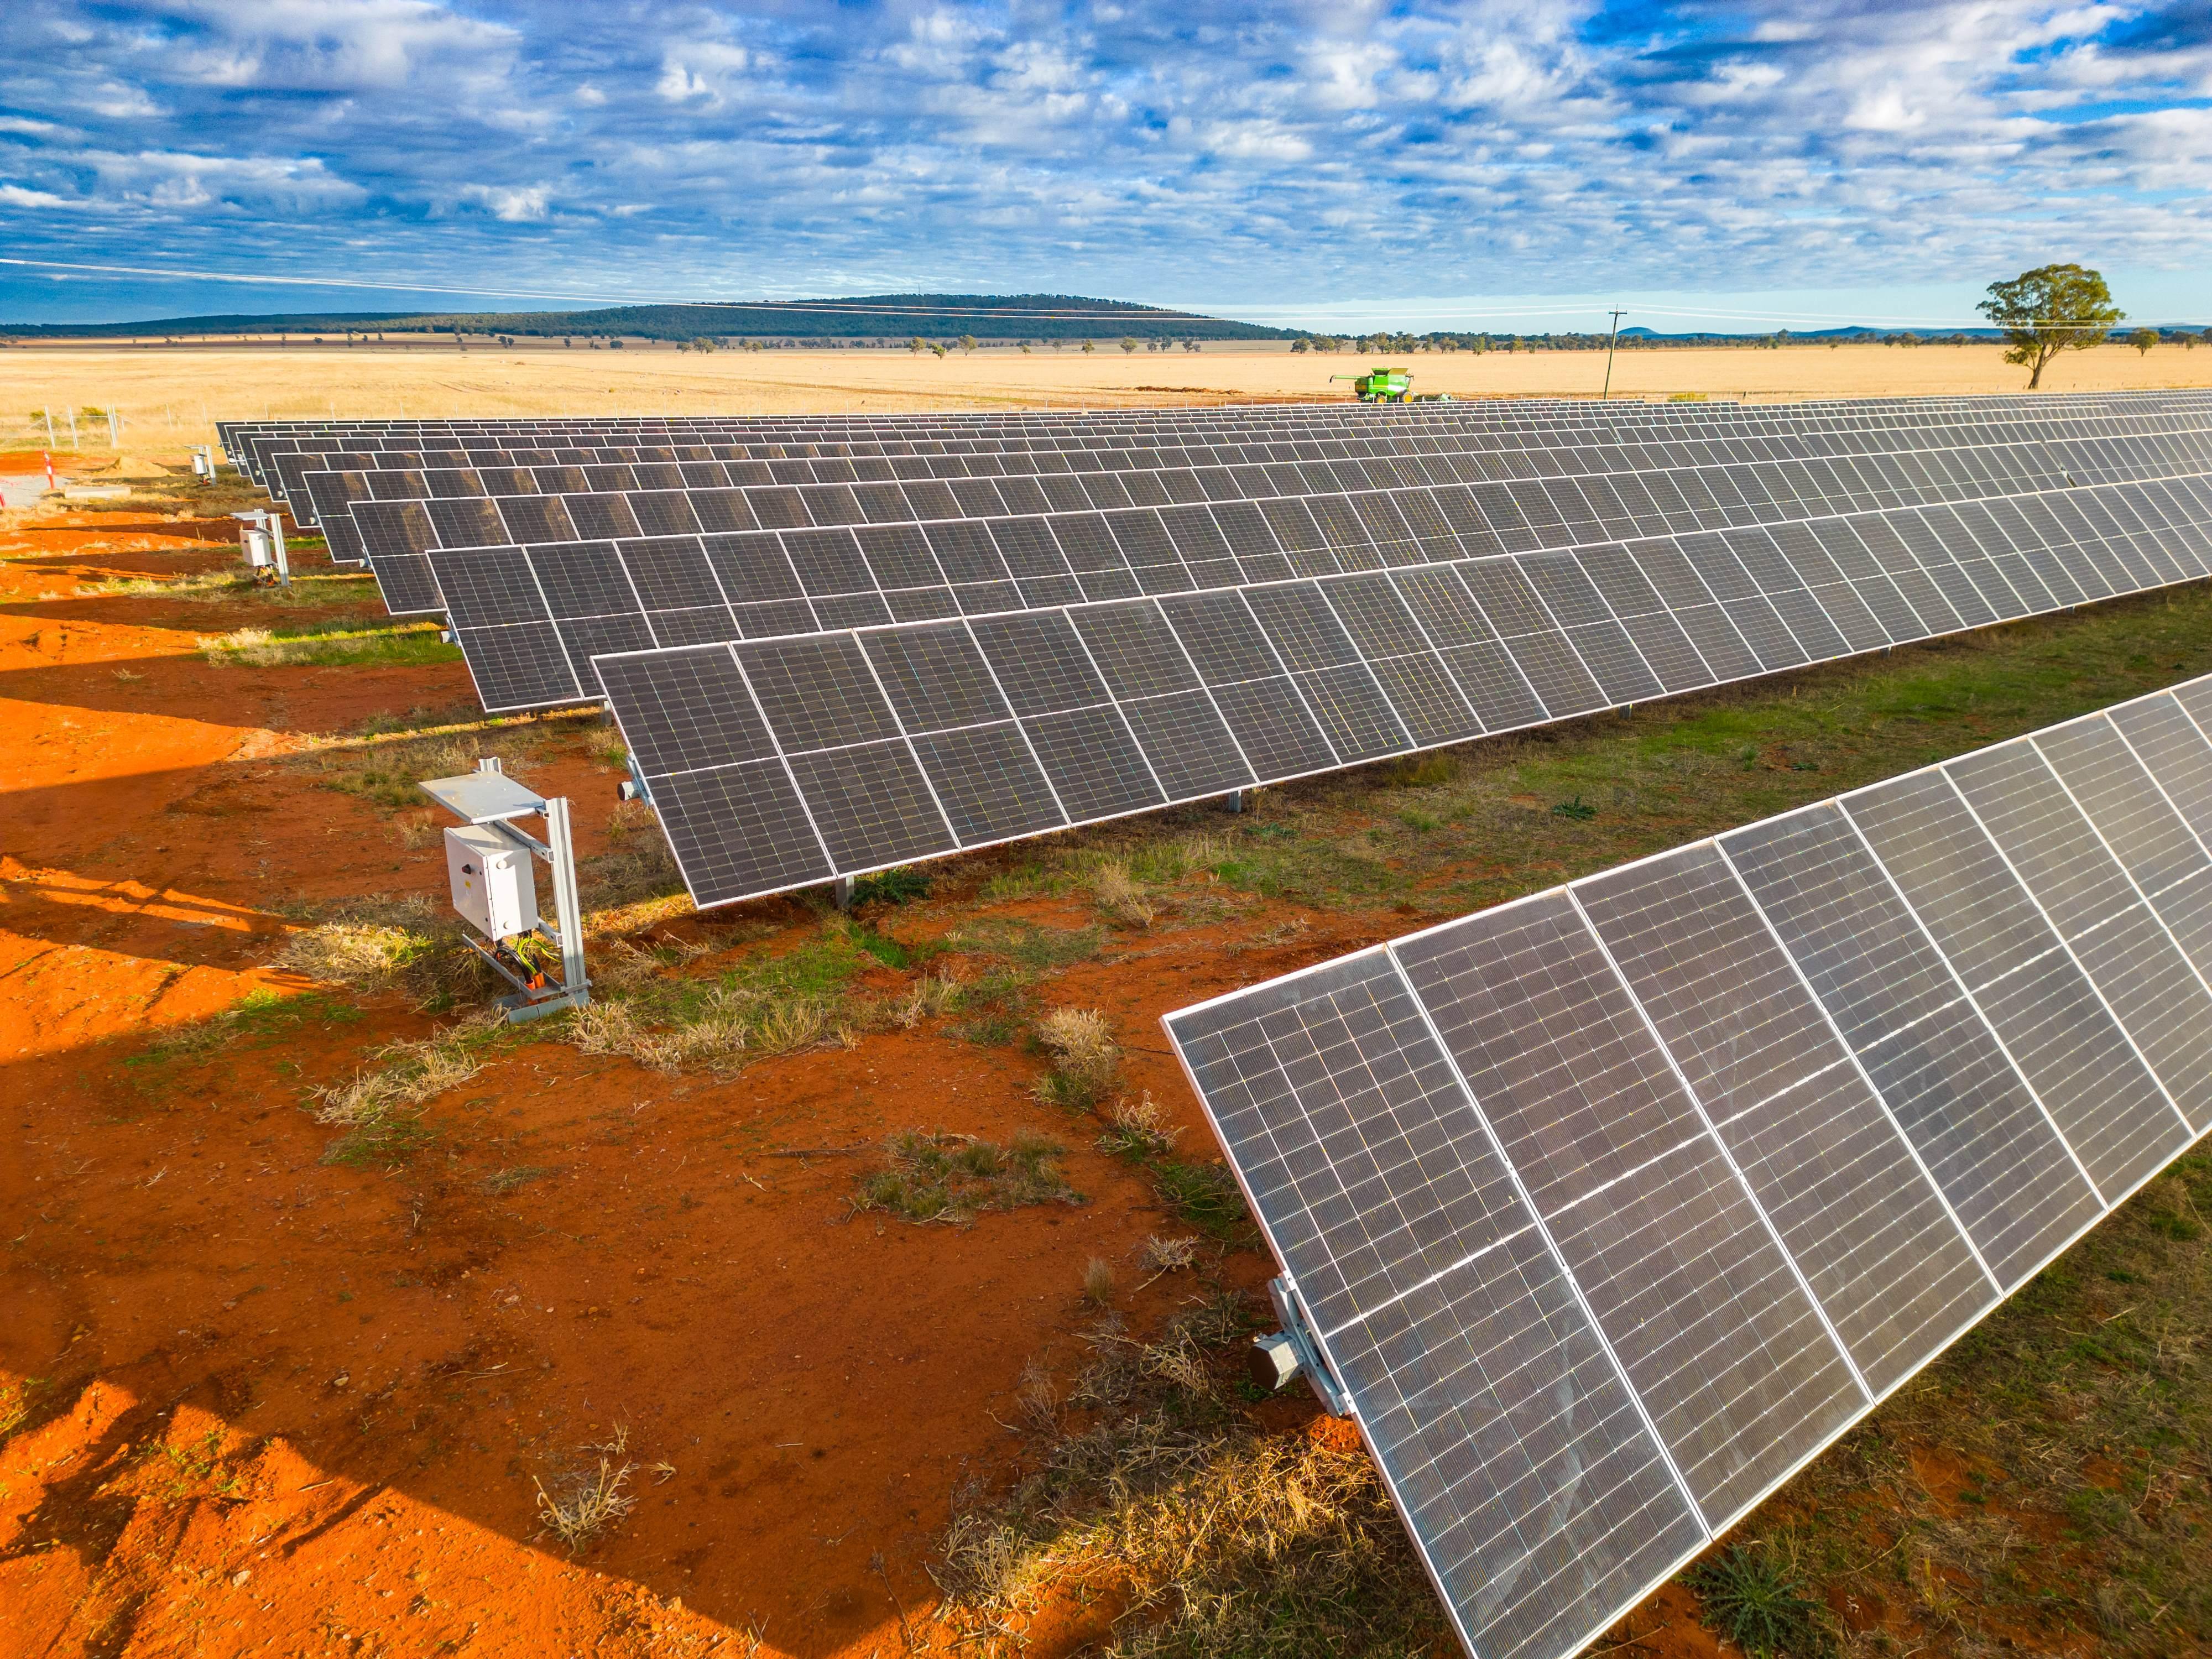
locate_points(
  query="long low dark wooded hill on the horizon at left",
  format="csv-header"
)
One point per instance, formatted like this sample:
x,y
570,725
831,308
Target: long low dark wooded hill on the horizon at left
x,y
899,317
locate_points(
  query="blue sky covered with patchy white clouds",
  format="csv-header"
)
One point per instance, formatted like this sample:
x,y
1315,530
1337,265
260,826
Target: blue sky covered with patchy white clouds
x,y
1519,165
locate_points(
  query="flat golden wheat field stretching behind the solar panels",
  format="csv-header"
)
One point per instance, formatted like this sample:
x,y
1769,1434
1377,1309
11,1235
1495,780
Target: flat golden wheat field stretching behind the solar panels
x,y
171,395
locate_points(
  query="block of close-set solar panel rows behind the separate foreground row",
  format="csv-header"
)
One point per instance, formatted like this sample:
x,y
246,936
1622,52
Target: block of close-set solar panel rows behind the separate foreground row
x,y
937,634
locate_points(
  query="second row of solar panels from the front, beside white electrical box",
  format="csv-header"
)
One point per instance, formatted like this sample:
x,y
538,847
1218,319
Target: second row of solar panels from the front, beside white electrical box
x,y
795,760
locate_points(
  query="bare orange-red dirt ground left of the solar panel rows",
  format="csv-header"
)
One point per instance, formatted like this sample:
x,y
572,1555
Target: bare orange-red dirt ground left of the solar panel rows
x,y
300,1408
